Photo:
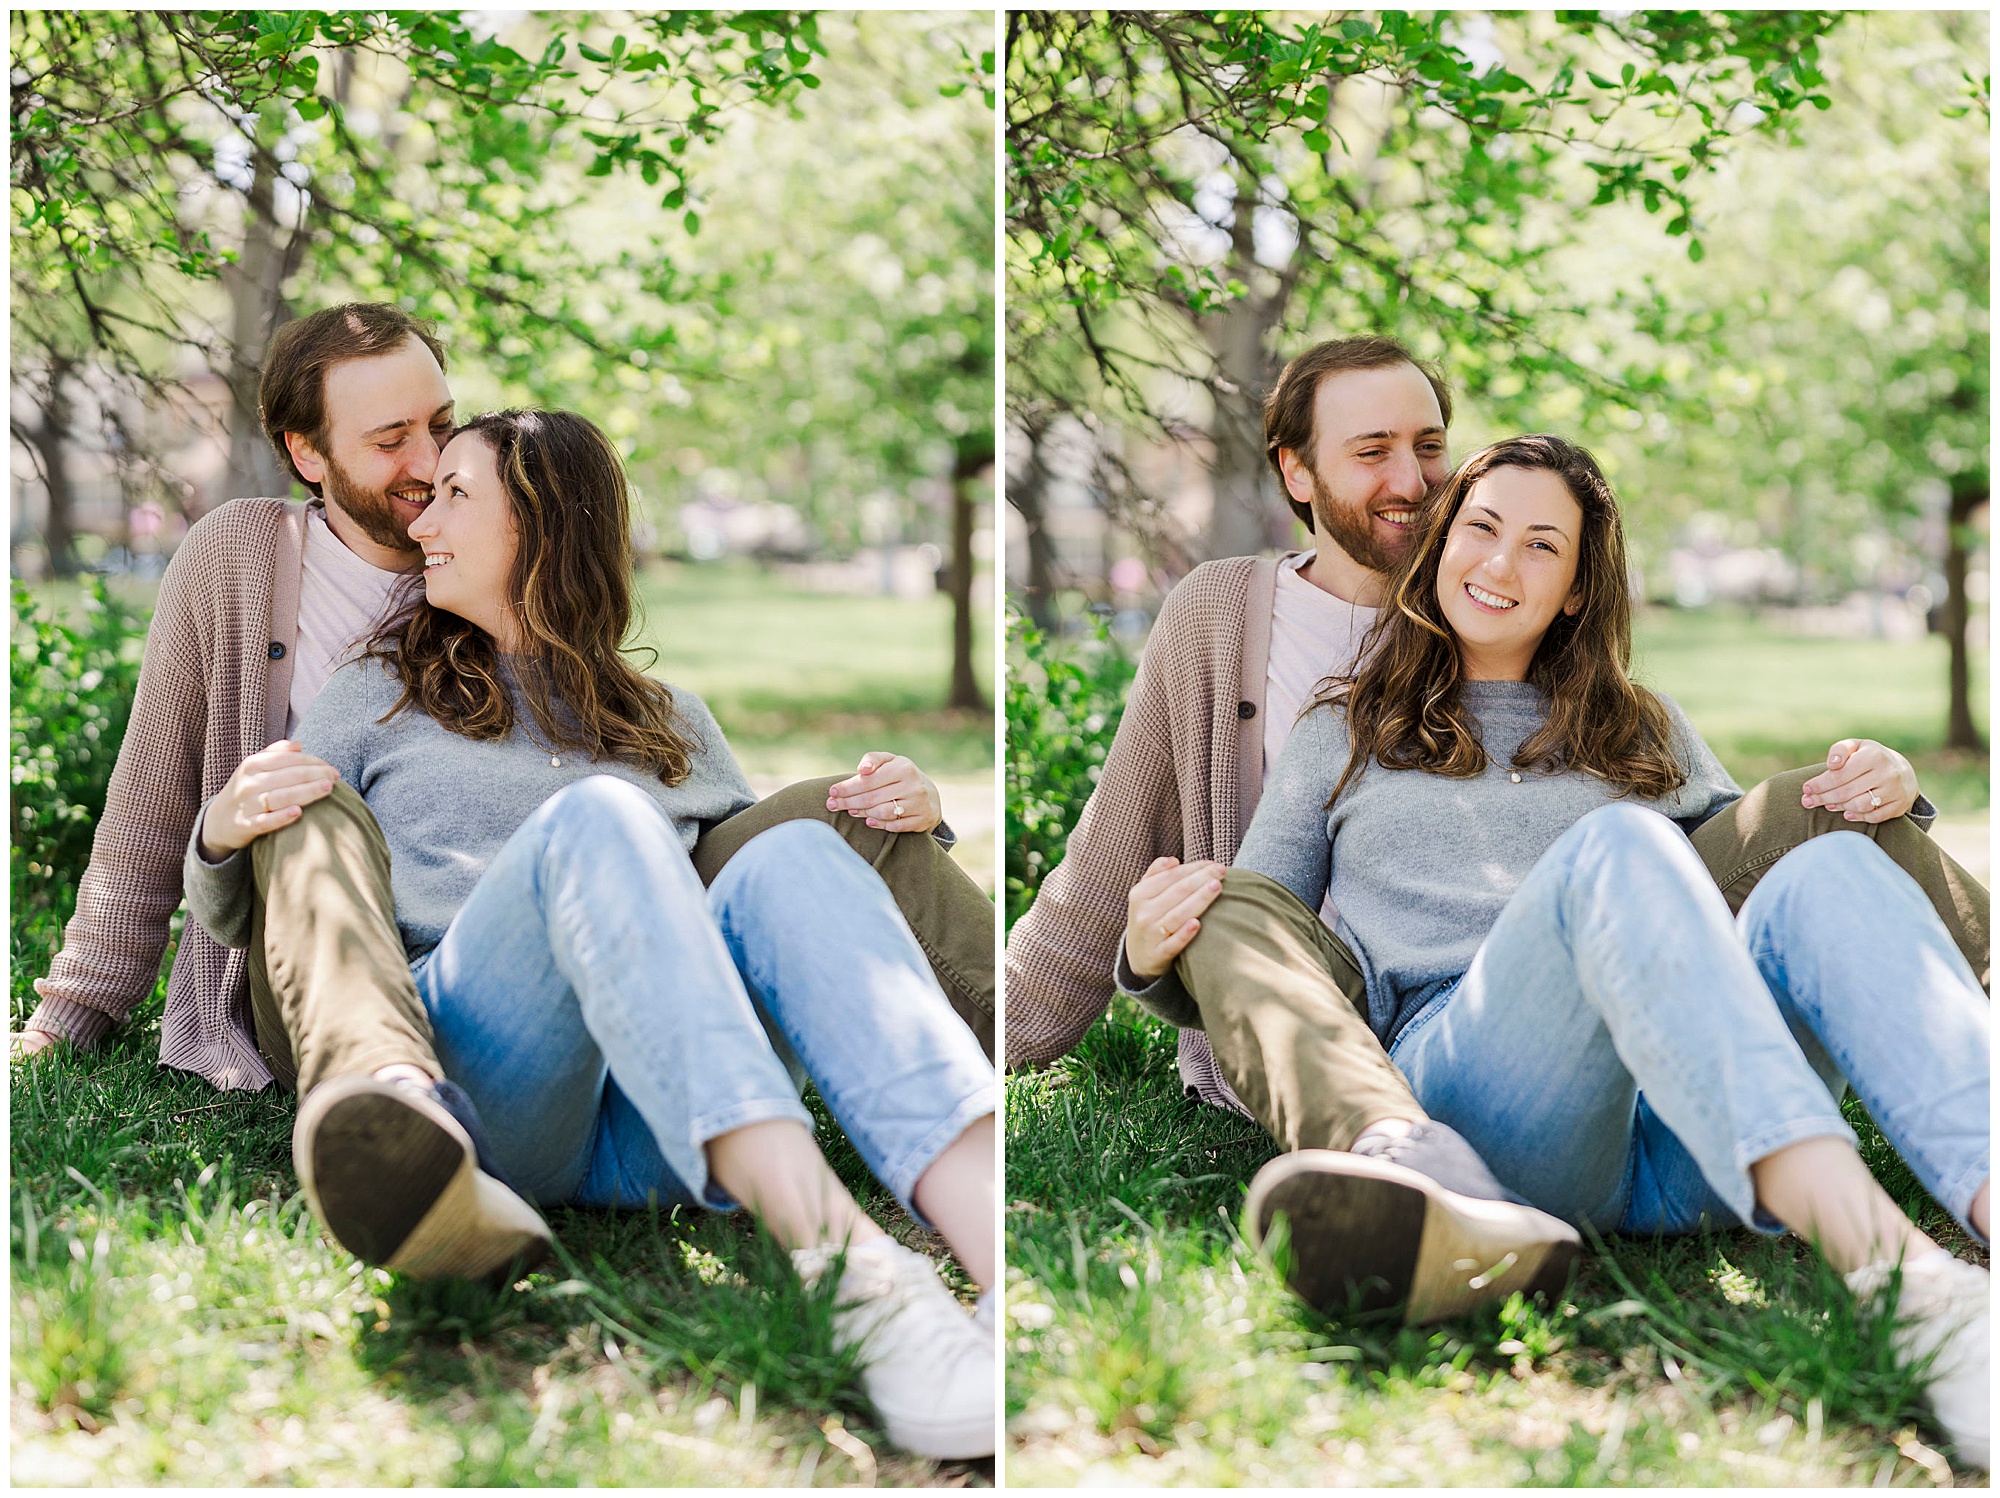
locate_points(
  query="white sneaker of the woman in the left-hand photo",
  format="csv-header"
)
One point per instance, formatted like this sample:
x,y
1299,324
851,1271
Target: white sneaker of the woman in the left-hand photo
x,y
929,1369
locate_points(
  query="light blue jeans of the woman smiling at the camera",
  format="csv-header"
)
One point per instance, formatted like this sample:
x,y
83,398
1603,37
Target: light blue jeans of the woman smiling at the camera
x,y
1623,1049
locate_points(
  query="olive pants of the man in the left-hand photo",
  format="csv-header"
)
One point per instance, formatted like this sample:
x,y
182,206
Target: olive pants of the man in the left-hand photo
x,y
331,987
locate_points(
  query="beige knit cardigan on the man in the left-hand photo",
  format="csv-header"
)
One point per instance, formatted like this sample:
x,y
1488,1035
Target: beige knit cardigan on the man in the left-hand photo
x,y
213,689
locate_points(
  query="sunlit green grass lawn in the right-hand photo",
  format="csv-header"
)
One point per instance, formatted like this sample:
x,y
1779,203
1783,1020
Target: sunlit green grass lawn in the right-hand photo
x,y
1147,1345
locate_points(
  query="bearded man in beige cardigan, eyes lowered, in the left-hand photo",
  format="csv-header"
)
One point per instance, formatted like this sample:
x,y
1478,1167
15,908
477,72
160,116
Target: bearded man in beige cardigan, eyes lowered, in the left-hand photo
x,y
257,609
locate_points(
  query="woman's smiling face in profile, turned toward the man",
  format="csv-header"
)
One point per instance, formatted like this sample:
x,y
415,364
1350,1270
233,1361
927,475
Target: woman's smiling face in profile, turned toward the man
x,y
469,539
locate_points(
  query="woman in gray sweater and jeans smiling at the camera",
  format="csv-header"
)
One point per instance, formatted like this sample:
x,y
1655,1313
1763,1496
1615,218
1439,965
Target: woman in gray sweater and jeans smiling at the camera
x,y
1493,805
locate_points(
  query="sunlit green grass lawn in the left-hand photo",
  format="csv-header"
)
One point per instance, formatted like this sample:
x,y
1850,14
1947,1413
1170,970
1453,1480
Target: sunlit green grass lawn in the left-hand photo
x,y
179,1319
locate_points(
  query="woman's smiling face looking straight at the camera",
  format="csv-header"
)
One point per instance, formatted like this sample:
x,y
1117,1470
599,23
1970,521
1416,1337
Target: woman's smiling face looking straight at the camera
x,y
1509,569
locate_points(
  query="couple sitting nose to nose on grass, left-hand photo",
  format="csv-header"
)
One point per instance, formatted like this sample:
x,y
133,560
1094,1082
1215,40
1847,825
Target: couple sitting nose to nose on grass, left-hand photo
x,y
461,901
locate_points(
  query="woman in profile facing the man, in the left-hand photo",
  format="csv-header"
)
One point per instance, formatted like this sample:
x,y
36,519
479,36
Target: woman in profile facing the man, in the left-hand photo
x,y
625,1035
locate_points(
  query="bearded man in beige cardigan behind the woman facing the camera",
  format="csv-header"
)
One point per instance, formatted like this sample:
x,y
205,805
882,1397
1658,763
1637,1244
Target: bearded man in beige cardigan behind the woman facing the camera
x,y
1379,1199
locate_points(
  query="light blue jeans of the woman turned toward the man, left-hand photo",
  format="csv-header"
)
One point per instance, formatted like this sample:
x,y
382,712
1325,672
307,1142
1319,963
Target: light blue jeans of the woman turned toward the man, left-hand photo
x,y
609,1015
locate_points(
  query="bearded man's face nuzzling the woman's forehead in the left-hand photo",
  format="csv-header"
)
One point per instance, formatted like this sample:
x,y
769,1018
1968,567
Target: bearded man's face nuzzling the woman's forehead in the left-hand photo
x,y
387,419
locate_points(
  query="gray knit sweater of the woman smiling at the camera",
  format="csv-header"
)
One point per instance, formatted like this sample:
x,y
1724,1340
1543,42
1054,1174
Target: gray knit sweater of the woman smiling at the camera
x,y
1423,865
